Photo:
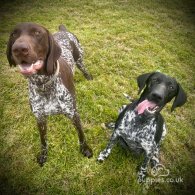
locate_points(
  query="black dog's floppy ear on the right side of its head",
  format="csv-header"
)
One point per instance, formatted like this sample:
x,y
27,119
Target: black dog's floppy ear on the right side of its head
x,y
180,98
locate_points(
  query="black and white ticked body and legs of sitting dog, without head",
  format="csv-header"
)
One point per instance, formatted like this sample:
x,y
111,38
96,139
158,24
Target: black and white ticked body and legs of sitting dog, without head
x,y
139,134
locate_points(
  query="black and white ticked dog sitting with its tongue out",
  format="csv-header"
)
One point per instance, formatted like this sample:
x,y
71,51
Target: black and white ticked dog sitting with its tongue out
x,y
140,126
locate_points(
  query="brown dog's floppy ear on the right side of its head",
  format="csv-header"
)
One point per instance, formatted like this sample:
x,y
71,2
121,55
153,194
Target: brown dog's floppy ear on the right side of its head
x,y
53,55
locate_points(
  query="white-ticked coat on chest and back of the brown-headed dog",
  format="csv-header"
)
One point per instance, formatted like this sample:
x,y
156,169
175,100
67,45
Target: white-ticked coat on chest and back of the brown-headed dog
x,y
55,99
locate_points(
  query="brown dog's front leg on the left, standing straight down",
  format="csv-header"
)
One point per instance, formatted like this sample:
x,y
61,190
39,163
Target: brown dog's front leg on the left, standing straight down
x,y
42,126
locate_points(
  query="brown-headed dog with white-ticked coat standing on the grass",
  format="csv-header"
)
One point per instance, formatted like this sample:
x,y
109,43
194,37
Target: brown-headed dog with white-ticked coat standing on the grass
x,y
48,63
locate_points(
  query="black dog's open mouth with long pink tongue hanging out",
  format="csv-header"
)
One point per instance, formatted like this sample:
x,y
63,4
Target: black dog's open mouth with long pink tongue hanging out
x,y
147,105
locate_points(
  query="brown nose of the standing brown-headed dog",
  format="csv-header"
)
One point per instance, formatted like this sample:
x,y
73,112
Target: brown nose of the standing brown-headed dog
x,y
20,49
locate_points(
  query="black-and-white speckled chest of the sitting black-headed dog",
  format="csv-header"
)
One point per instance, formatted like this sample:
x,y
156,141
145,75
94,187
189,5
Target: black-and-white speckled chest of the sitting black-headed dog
x,y
136,131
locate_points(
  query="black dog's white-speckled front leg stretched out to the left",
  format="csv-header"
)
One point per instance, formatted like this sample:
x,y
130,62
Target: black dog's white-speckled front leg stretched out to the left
x,y
106,152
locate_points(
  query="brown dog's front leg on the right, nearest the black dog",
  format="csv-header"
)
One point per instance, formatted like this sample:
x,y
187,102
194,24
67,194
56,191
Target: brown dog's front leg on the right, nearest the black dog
x,y
85,149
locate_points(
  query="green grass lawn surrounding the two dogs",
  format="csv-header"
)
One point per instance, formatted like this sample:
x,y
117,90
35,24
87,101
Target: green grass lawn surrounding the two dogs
x,y
121,39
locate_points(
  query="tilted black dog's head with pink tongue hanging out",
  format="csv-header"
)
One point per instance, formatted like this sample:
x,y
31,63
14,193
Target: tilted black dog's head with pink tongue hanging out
x,y
159,89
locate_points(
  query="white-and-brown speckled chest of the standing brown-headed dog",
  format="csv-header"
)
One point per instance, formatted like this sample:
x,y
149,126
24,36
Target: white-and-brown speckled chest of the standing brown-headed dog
x,y
54,99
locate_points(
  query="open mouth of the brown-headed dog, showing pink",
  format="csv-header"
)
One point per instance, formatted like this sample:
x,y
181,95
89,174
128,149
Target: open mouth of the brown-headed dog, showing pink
x,y
28,69
